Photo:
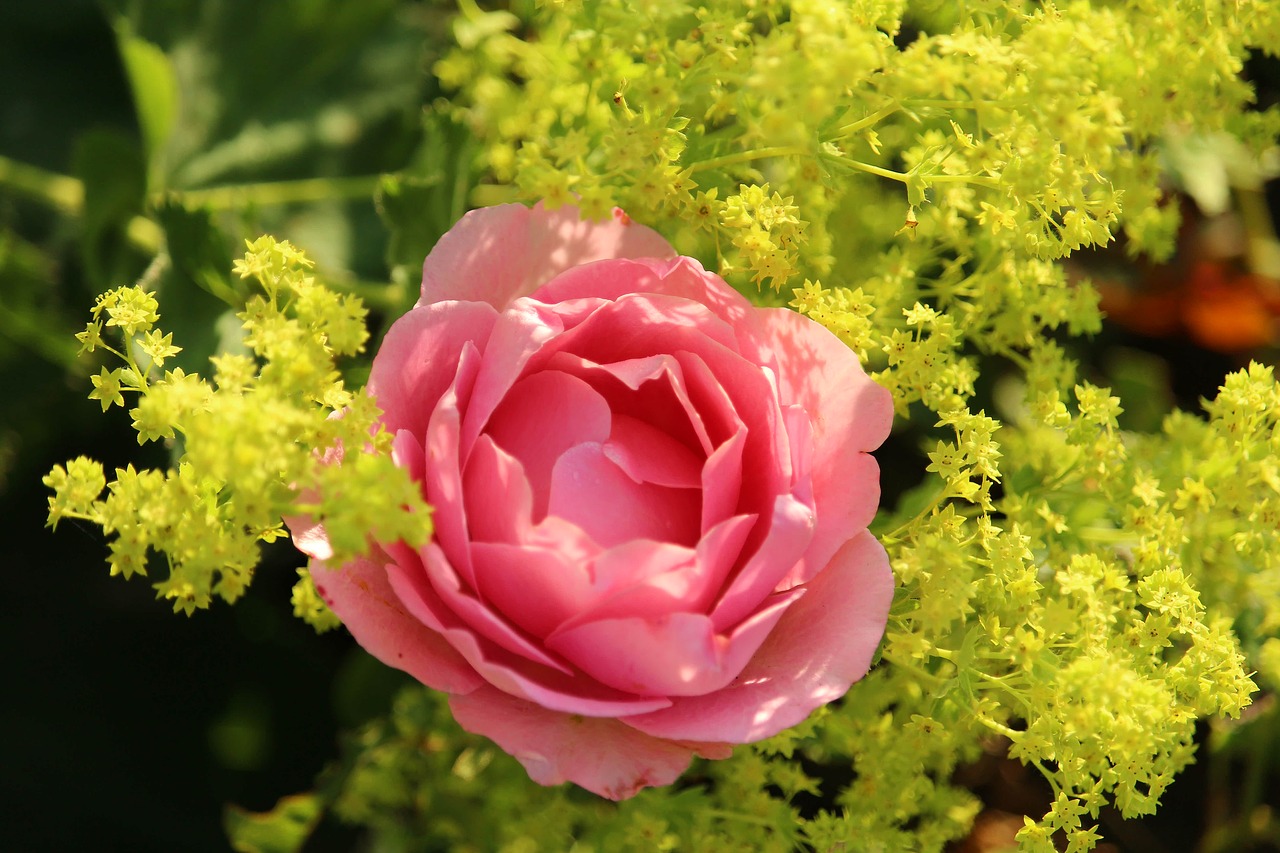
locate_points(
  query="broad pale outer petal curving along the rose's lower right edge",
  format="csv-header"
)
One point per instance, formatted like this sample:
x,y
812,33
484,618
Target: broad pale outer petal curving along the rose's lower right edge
x,y
820,647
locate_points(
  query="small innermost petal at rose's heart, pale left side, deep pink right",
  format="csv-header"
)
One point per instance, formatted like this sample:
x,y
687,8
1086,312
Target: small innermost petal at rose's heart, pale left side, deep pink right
x,y
589,490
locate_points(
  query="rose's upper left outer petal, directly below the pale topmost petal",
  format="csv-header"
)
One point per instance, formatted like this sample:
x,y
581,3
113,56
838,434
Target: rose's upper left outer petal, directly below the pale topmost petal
x,y
419,358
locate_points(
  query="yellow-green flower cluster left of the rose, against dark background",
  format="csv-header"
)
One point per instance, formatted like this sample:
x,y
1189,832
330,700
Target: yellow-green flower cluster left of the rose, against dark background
x,y
253,441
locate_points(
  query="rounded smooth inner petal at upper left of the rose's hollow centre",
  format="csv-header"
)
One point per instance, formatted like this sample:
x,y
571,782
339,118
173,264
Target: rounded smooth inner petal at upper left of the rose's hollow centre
x,y
542,417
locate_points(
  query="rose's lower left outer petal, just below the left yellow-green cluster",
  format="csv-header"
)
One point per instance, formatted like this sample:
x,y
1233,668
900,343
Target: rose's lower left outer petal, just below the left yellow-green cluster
x,y
363,599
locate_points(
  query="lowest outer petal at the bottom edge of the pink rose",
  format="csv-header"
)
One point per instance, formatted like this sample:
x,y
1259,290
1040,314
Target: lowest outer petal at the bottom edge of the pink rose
x,y
601,755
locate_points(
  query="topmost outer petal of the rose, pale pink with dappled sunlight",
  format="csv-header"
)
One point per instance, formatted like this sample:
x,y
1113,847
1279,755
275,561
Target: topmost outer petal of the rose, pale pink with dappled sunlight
x,y
497,256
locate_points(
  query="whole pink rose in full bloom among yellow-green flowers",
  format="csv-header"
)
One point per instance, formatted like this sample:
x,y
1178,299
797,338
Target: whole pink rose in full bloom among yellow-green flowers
x,y
651,504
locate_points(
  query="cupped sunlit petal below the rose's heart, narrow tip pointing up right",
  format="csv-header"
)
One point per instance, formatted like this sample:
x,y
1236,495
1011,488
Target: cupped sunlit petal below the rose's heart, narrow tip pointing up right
x,y
670,655
